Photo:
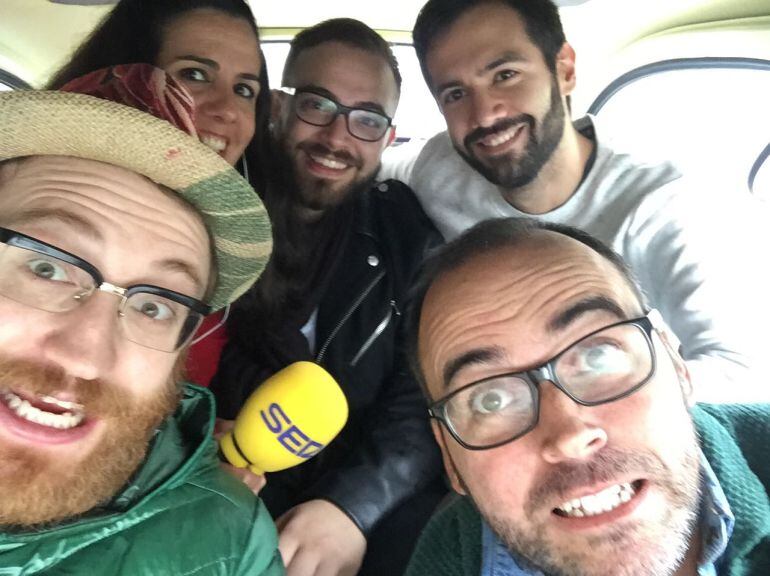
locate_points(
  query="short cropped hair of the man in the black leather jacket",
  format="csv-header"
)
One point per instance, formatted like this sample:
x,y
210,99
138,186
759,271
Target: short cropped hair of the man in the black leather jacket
x,y
346,31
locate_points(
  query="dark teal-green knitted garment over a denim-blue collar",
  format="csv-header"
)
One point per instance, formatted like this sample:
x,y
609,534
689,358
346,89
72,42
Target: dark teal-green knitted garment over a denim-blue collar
x,y
735,440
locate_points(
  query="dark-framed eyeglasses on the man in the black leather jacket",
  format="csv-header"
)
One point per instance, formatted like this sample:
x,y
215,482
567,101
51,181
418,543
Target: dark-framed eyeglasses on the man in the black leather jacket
x,y
319,110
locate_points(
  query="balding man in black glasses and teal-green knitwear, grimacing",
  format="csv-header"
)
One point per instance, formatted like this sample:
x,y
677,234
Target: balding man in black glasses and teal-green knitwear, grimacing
x,y
563,413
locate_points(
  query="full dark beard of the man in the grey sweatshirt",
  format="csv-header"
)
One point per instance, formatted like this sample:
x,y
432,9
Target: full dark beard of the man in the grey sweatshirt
x,y
511,171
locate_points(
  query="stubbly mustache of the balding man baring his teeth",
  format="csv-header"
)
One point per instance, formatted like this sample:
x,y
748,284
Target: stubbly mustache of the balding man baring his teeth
x,y
606,466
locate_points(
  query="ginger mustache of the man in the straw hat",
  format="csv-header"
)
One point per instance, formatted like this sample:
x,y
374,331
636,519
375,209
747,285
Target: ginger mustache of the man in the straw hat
x,y
33,379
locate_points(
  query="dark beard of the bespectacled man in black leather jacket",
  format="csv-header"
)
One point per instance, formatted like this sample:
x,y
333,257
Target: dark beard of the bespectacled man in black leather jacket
x,y
318,194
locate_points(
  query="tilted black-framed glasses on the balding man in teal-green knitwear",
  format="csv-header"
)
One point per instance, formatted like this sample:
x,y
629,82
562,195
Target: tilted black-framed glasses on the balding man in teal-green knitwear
x,y
604,366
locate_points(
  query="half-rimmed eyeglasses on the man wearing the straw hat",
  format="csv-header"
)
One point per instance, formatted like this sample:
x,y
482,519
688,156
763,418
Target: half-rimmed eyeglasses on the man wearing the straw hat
x,y
44,277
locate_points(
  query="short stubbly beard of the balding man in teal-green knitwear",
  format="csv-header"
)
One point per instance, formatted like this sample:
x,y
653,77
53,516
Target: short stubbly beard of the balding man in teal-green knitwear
x,y
657,550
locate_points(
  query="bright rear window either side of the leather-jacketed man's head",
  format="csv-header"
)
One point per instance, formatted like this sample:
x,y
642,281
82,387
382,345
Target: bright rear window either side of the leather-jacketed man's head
x,y
417,117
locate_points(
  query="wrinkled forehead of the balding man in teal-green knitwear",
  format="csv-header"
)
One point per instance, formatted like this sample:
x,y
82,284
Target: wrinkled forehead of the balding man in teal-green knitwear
x,y
480,301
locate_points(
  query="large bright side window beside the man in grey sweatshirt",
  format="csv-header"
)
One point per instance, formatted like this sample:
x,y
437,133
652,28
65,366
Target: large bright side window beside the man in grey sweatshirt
x,y
712,122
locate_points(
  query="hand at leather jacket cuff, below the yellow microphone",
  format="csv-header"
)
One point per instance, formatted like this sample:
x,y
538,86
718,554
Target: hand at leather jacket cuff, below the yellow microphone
x,y
318,539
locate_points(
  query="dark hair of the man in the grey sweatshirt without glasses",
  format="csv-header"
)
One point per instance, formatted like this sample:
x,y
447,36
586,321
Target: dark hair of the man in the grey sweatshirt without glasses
x,y
541,21
